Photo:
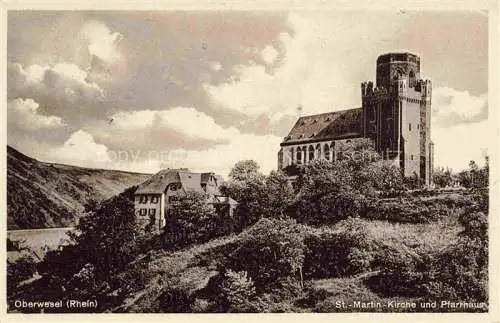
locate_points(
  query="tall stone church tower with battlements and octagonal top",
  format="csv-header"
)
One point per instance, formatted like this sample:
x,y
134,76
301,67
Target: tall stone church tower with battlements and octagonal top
x,y
396,114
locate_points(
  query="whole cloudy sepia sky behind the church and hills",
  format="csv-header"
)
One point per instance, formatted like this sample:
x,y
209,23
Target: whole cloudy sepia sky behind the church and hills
x,y
147,90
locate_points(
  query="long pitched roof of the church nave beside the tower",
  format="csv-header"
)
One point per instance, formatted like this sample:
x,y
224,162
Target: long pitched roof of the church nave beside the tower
x,y
325,126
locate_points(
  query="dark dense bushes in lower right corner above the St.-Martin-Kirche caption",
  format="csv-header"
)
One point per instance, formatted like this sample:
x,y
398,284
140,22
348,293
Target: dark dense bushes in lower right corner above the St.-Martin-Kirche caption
x,y
458,273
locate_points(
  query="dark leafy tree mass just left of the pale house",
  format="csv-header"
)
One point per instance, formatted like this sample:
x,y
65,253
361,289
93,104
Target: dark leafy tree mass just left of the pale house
x,y
107,239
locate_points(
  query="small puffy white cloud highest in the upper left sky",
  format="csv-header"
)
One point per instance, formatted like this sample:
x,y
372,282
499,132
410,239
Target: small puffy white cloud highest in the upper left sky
x,y
102,42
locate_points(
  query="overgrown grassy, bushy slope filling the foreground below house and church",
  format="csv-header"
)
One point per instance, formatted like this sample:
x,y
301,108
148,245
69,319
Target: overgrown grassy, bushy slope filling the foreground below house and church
x,y
352,260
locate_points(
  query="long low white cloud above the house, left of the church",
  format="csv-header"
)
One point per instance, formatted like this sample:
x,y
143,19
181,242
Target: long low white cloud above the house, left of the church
x,y
181,137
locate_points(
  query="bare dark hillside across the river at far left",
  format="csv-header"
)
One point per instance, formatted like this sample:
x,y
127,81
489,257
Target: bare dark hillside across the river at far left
x,y
42,195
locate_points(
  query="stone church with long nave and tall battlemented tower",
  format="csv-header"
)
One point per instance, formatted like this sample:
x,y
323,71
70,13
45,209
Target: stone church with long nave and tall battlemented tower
x,y
395,114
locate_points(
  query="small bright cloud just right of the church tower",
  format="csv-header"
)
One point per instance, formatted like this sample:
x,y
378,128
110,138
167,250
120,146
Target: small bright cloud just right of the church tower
x,y
451,107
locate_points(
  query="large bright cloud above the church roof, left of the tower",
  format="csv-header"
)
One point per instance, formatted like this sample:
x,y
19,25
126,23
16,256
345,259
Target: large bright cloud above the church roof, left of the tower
x,y
317,64
